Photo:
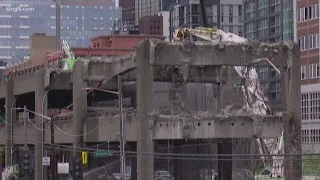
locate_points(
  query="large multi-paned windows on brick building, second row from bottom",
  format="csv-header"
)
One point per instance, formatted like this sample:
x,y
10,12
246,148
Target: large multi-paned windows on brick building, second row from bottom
x,y
310,106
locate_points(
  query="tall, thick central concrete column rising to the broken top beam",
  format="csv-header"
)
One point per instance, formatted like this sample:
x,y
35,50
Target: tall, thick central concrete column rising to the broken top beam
x,y
145,88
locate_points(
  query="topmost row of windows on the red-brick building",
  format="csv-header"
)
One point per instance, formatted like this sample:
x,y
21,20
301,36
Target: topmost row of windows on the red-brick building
x,y
308,13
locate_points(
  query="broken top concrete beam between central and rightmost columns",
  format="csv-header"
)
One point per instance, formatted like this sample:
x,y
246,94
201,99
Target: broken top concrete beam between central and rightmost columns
x,y
210,54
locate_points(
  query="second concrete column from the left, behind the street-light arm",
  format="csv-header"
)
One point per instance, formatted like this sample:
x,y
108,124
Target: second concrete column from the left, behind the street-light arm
x,y
41,105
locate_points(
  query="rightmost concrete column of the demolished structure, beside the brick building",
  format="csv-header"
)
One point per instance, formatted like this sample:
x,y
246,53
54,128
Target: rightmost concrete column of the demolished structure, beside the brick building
x,y
292,119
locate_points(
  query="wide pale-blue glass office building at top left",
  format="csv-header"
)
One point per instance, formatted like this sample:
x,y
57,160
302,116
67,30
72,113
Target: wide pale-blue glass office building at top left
x,y
81,20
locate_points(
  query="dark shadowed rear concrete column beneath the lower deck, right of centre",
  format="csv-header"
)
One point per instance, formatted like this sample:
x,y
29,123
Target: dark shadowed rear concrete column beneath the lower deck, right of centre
x,y
225,165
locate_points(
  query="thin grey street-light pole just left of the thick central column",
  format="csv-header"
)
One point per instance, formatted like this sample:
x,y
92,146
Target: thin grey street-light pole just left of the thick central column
x,y
122,141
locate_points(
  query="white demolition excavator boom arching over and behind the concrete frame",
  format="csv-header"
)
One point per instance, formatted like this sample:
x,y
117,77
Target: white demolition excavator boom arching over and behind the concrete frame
x,y
256,100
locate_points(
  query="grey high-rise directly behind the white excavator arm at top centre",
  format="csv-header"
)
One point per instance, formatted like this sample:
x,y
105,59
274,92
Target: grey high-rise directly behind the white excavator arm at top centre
x,y
223,14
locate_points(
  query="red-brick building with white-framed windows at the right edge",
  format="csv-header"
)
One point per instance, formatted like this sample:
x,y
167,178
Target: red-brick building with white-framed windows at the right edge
x,y
307,17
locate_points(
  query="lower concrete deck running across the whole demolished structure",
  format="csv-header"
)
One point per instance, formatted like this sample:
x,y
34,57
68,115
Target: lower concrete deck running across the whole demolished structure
x,y
104,126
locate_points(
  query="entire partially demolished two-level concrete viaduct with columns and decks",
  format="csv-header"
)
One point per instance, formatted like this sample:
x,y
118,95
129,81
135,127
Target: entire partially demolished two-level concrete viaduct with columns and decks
x,y
155,61
